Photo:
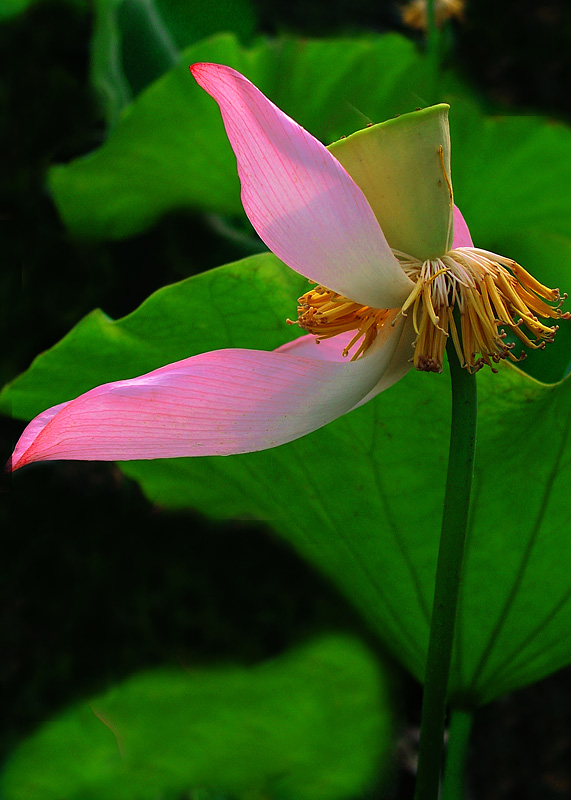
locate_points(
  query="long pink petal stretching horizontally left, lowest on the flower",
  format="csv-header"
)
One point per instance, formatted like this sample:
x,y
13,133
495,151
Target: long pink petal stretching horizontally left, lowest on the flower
x,y
218,403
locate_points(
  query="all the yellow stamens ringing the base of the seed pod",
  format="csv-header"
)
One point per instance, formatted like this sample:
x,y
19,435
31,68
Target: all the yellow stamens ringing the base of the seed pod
x,y
492,295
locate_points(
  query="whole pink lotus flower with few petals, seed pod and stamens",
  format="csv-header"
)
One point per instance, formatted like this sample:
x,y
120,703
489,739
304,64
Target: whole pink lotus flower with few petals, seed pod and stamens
x,y
370,221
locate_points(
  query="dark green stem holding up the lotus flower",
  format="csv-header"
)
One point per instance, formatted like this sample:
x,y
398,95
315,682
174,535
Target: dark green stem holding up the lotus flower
x,y
448,570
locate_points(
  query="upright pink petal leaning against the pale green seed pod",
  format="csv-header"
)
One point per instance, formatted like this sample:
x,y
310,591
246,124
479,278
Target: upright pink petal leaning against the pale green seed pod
x,y
299,198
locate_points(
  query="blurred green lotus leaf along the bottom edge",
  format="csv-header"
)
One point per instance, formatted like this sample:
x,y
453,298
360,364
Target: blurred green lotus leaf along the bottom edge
x,y
316,722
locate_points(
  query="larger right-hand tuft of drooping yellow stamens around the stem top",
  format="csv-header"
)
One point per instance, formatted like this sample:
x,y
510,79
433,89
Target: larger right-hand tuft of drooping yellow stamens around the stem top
x,y
492,293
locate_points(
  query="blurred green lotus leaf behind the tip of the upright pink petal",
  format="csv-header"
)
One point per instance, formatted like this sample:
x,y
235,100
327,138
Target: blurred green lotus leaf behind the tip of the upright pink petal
x,y
170,150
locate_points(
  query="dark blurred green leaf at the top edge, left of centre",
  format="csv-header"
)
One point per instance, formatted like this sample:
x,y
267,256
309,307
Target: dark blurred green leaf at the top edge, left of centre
x,y
159,29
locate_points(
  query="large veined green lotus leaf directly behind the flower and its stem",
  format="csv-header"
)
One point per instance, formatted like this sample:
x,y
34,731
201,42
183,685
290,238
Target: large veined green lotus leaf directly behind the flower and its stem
x,y
362,498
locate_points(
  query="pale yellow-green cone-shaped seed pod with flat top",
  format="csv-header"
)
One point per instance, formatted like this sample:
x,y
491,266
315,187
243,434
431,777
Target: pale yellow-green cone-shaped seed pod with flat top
x,y
406,178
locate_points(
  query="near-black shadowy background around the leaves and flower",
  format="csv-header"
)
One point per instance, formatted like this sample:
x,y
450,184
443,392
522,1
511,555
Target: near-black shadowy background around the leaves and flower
x,y
95,582
